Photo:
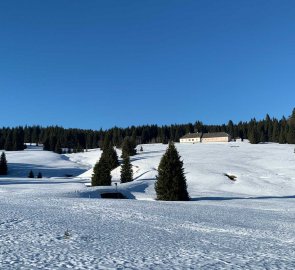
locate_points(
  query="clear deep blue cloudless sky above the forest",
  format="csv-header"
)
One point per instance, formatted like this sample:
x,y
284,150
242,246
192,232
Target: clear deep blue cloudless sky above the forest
x,y
97,64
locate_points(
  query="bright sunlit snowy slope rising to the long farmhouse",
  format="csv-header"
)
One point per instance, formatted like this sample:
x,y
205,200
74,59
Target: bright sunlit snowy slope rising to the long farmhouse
x,y
261,170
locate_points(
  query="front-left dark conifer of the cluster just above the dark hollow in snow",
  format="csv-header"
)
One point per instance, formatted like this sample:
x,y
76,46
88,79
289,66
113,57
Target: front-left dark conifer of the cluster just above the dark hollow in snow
x,y
101,173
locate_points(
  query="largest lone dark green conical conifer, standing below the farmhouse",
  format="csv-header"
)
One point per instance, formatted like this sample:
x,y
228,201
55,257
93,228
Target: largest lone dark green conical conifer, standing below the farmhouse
x,y
171,181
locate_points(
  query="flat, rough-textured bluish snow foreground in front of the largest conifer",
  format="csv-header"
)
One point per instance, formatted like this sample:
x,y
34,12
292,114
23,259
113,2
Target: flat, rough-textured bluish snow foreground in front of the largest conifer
x,y
117,234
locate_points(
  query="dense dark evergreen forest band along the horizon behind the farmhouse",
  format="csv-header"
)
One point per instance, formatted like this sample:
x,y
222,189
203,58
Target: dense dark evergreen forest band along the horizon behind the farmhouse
x,y
59,139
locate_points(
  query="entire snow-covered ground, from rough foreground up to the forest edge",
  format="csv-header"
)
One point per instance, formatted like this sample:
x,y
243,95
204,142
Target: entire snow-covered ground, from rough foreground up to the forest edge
x,y
242,224
